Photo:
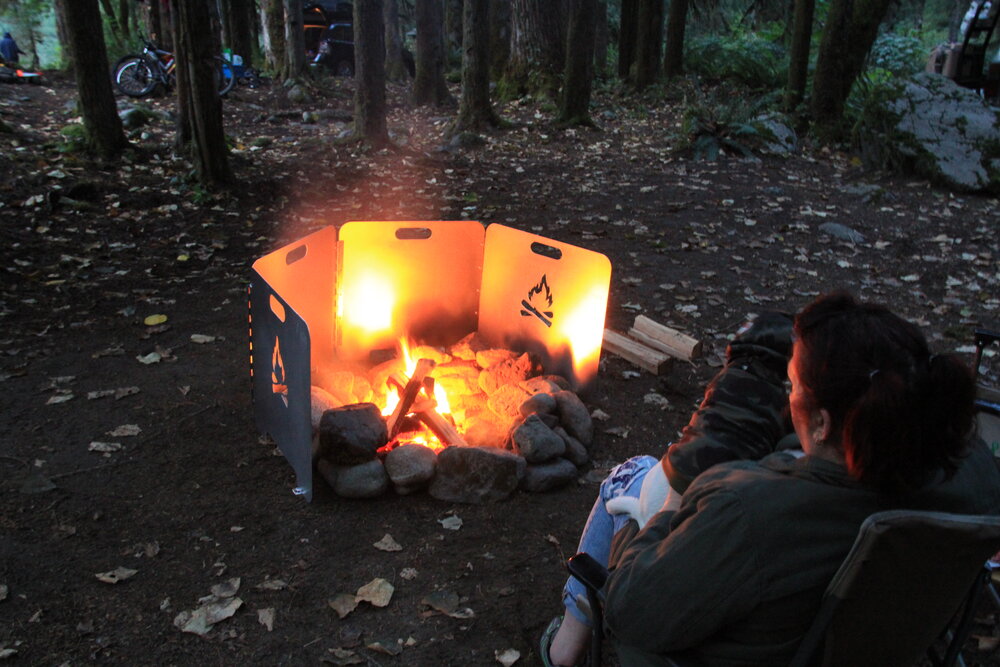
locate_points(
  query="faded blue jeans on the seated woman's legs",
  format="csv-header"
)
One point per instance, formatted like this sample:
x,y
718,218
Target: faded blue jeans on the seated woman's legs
x,y
624,480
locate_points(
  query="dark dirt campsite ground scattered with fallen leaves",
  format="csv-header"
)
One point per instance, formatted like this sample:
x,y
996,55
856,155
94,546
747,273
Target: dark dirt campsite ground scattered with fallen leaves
x,y
190,496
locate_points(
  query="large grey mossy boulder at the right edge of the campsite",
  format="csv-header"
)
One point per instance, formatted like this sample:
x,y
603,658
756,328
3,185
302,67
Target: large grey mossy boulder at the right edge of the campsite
x,y
936,129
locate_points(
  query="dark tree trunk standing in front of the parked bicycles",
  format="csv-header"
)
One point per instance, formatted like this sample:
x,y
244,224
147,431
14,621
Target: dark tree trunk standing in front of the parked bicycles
x,y
195,55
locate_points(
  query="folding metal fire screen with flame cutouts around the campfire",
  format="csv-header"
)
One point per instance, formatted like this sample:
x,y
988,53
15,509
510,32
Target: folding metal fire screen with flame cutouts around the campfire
x,y
339,298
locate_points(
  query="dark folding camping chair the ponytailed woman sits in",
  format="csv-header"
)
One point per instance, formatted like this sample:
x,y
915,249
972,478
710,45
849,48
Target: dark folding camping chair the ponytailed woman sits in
x,y
911,578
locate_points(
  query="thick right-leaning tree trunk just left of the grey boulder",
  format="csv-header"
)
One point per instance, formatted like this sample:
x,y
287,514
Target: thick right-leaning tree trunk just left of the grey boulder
x,y
851,29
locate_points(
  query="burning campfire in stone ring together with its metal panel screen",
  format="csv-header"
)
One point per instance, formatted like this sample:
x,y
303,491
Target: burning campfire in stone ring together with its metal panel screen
x,y
382,345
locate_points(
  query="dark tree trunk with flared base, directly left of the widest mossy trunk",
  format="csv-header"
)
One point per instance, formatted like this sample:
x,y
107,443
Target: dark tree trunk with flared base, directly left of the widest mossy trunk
x,y
475,110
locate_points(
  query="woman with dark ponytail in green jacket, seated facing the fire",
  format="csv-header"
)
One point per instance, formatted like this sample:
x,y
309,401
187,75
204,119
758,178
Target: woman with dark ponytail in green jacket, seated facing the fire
x,y
721,551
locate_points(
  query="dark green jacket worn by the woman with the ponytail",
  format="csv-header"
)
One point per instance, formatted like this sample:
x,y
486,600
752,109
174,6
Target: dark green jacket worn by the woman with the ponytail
x,y
735,576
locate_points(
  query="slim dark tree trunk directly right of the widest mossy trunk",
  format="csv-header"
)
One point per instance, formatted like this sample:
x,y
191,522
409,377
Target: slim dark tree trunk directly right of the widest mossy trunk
x,y
574,108
